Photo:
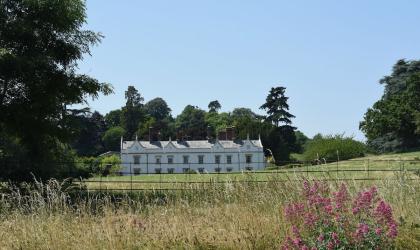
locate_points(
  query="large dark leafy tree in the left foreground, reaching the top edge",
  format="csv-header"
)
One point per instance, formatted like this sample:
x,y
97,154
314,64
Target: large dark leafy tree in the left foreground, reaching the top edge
x,y
40,45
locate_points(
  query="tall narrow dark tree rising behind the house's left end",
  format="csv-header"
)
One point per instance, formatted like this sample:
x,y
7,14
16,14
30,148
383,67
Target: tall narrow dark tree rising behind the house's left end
x,y
133,112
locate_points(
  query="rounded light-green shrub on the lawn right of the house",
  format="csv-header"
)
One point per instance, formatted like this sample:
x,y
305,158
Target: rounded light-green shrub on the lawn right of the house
x,y
326,147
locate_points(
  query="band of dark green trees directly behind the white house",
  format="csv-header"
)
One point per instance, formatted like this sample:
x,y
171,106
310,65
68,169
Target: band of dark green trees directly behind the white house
x,y
101,133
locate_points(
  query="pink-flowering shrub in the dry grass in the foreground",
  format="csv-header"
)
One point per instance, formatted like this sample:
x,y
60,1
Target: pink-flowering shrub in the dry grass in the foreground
x,y
324,220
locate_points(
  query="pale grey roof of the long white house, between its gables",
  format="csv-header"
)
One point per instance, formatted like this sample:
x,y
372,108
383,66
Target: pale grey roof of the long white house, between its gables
x,y
190,144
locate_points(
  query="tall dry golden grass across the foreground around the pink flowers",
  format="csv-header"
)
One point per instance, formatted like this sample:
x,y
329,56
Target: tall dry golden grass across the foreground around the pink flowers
x,y
231,216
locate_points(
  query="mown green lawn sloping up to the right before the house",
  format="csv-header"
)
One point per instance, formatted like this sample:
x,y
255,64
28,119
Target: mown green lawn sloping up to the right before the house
x,y
371,167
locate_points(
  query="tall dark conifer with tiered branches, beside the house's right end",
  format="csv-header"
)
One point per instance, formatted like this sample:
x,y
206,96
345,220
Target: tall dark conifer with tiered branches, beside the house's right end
x,y
277,107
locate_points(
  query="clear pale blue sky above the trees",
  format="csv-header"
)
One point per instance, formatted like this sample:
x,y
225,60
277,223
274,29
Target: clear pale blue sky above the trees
x,y
328,54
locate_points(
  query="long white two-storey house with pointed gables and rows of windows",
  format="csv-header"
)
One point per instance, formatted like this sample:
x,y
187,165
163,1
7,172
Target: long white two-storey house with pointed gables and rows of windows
x,y
140,157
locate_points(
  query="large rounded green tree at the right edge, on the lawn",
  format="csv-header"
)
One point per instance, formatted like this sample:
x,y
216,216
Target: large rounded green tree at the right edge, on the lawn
x,y
393,122
